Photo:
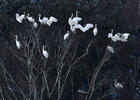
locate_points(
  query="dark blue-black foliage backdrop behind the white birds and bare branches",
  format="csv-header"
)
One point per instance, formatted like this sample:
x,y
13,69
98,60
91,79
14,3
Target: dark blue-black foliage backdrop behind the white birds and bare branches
x,y
124,65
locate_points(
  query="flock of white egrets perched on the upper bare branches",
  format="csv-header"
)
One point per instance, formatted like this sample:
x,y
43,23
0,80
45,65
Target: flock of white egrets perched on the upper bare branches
x,y
74,23
